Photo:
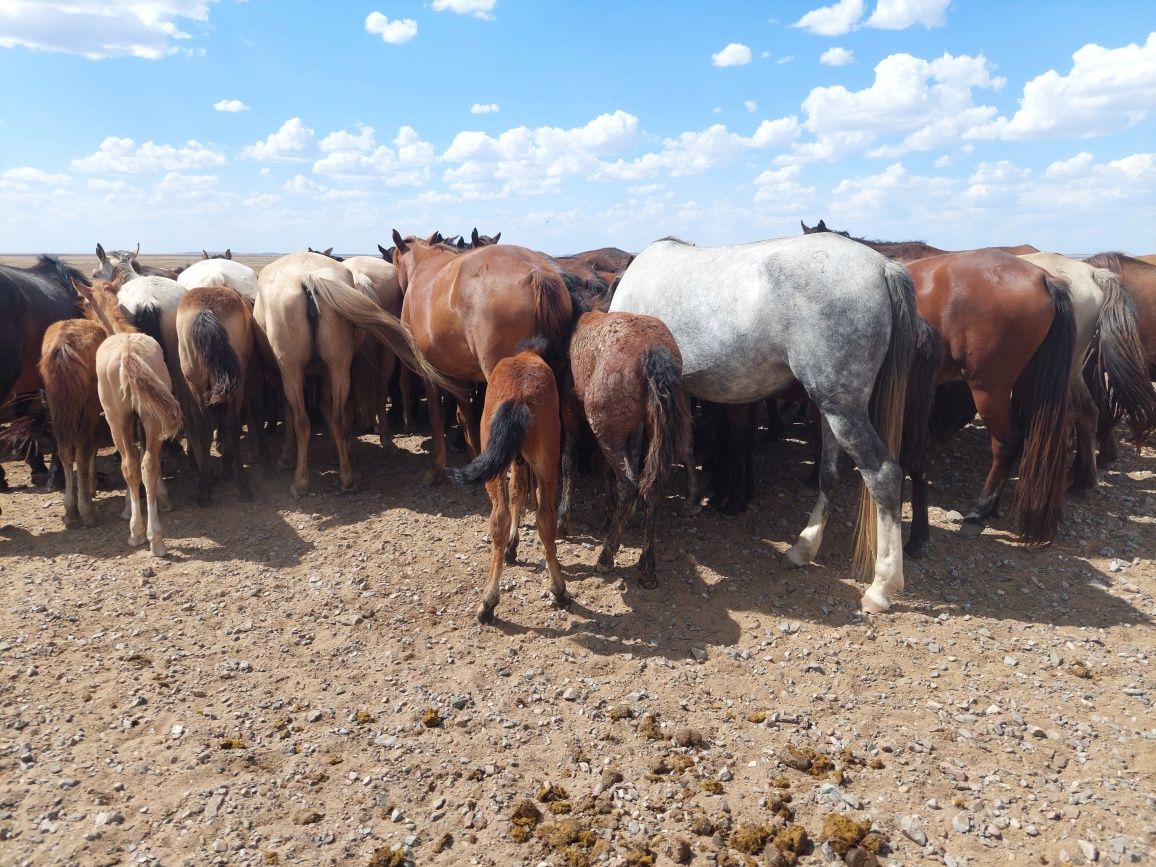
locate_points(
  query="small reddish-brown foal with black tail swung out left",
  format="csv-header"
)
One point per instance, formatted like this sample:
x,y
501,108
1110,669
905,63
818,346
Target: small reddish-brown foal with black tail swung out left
x,y
520,424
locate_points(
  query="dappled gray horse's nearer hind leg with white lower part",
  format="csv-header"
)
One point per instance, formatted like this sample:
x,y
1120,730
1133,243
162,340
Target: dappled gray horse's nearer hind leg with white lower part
x,y
884,478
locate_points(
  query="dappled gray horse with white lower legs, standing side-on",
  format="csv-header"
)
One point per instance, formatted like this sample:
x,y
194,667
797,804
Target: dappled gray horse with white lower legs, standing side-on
x,y
821,310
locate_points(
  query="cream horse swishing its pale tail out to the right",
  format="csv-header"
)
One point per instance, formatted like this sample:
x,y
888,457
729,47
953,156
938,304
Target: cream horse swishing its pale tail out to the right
x,y
308,308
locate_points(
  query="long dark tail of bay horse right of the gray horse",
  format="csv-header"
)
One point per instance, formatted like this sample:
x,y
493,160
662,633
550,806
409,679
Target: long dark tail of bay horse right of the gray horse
x,y
1043,399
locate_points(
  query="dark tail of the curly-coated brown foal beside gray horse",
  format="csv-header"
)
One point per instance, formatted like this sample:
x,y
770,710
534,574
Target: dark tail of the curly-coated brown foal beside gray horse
x,y
668,420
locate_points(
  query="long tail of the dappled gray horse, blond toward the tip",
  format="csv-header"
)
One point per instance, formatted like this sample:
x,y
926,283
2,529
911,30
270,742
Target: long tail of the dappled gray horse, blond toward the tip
x,y
890,399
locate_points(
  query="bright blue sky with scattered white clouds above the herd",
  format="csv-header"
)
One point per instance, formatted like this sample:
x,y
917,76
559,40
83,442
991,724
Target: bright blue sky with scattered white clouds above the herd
x,y
270,125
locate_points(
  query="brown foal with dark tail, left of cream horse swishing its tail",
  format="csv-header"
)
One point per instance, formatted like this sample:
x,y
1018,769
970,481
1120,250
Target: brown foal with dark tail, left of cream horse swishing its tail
x,y
216,339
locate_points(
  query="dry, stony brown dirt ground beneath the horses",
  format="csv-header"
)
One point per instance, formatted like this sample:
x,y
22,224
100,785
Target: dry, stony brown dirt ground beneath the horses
x,y
305,683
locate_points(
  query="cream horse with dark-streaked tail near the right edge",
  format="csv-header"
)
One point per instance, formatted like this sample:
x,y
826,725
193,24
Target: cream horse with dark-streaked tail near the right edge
x,y
1116,379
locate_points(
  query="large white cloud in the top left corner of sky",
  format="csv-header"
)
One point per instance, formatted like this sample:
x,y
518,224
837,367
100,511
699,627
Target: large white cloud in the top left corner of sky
x,y
99,29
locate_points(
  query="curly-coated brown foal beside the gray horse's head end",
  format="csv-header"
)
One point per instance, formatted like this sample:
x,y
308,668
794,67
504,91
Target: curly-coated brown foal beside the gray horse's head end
x,y
626,376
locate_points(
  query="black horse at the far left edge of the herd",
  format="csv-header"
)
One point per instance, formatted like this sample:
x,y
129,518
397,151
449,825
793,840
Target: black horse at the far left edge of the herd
x,y
31,301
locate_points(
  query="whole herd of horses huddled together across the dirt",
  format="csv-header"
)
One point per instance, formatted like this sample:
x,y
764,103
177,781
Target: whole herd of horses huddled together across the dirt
x,y
887,349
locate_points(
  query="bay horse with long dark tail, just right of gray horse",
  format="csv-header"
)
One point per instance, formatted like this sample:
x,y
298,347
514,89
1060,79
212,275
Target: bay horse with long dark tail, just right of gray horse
x,y
1009,331
